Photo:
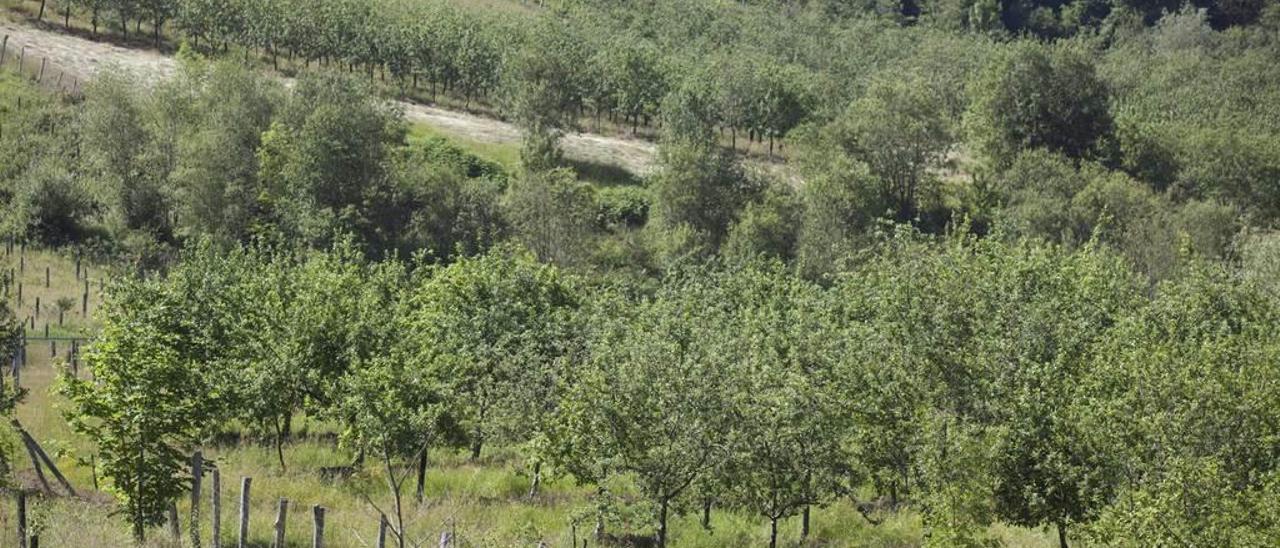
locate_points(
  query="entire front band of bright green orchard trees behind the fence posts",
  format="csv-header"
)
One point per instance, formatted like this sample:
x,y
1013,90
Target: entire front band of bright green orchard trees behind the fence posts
x,y
972,381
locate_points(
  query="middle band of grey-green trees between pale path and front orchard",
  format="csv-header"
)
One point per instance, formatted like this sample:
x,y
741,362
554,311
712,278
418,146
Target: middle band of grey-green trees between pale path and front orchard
x,y
227,153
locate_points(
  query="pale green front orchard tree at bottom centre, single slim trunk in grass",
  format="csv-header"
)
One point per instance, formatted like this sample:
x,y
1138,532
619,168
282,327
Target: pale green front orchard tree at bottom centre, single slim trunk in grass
x,y
652,401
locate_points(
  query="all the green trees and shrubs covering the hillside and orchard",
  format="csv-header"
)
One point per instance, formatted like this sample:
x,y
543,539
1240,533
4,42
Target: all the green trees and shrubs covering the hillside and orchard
x,y
1018,267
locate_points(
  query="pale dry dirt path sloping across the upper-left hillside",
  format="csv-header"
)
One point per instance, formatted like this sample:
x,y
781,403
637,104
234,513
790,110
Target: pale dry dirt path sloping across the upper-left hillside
x,y
85,58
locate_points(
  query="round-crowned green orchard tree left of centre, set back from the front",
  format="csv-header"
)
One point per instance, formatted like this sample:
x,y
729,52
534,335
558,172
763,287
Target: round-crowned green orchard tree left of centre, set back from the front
x,y
493,327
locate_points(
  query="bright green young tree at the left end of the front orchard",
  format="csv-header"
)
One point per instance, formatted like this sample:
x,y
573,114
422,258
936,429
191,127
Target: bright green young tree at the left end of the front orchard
x,y
147,407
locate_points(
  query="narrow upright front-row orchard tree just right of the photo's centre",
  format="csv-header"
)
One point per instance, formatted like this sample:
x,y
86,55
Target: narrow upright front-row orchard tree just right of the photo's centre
x,y
788,437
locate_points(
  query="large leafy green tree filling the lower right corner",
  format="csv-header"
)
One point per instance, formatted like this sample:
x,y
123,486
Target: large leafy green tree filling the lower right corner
x,y
1199,463
